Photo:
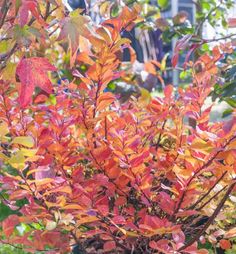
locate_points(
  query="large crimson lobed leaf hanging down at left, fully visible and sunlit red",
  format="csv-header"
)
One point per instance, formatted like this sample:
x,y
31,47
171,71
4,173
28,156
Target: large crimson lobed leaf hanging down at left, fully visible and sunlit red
x,y
32,72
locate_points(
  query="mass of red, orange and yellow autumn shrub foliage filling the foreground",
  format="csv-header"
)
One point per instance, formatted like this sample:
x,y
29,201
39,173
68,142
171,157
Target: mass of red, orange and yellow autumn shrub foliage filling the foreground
x,y
80,169
